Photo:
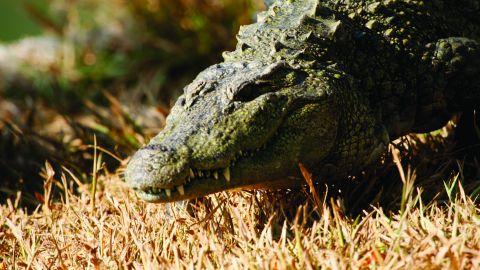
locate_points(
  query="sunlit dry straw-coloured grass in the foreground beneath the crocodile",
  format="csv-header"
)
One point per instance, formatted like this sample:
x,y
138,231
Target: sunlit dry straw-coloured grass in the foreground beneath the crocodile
x,y
273,230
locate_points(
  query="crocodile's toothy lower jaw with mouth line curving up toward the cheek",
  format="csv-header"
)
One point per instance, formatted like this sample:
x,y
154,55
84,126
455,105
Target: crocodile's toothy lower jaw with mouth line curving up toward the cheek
x,y
237,175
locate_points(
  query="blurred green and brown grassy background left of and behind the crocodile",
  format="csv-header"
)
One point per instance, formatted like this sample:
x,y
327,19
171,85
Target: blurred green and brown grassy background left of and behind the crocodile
x,y
70,70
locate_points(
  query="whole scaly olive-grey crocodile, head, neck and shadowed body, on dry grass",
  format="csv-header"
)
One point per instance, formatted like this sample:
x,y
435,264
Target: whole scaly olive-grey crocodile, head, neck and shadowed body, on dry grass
x,y
328,84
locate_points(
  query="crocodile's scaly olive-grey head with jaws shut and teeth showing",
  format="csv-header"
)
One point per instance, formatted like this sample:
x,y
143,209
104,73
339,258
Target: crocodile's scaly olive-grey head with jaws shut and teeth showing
x,y
237,125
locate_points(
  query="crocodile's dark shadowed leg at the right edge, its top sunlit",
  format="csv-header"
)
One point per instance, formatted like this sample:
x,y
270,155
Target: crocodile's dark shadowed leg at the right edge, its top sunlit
x,y
456,85
